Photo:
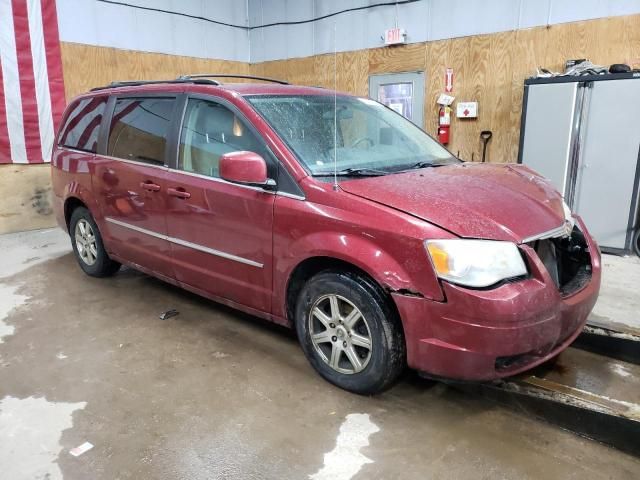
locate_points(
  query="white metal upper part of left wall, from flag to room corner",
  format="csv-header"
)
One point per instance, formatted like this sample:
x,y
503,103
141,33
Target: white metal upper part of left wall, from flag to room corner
x,y
109,25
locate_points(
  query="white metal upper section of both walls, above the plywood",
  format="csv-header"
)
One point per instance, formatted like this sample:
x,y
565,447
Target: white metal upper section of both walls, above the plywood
x,y
99,23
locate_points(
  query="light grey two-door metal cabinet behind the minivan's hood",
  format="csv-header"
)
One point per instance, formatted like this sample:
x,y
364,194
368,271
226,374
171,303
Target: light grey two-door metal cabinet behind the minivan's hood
x,y
583,134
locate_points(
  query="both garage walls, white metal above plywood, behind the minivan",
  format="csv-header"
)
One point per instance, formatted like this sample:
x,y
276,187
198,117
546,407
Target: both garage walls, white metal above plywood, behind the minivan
x,y
495,49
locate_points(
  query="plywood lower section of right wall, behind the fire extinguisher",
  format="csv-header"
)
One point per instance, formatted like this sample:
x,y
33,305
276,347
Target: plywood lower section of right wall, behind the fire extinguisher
x,y
489,69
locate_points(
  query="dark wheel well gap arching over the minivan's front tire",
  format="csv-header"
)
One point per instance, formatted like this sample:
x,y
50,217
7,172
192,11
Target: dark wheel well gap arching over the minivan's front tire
x,y
312,266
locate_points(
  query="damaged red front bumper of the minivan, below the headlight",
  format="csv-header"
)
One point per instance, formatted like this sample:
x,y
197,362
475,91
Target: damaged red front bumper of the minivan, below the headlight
x,y
487,334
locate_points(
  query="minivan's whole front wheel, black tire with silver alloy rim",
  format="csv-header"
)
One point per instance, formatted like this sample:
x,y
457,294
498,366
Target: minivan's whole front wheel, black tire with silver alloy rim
x,y
349,332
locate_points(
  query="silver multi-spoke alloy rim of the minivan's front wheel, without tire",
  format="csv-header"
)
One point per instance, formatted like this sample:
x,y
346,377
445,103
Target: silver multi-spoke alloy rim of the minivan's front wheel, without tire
x,y
340,334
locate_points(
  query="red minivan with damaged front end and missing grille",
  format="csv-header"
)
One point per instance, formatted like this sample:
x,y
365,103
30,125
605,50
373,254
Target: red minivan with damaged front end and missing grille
x,y
328,213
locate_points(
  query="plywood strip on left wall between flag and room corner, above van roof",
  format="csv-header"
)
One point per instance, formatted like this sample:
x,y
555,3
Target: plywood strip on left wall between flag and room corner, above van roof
x,y
88,66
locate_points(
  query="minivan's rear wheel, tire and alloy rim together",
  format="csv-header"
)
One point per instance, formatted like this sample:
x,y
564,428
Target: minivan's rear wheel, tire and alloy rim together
x,y
88,246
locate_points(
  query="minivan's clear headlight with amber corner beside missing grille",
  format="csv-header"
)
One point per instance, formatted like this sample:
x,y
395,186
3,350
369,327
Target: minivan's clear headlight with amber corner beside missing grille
x,y
475,263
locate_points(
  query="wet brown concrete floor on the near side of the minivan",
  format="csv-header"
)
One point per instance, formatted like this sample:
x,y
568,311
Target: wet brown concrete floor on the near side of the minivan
x,y
216,394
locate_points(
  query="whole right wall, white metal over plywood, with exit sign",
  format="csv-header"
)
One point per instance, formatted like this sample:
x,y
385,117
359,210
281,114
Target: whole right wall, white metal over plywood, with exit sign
x,y
492,46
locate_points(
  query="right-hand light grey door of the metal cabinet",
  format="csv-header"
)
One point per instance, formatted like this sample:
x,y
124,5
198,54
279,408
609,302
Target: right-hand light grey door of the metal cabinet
x,y
606,187
